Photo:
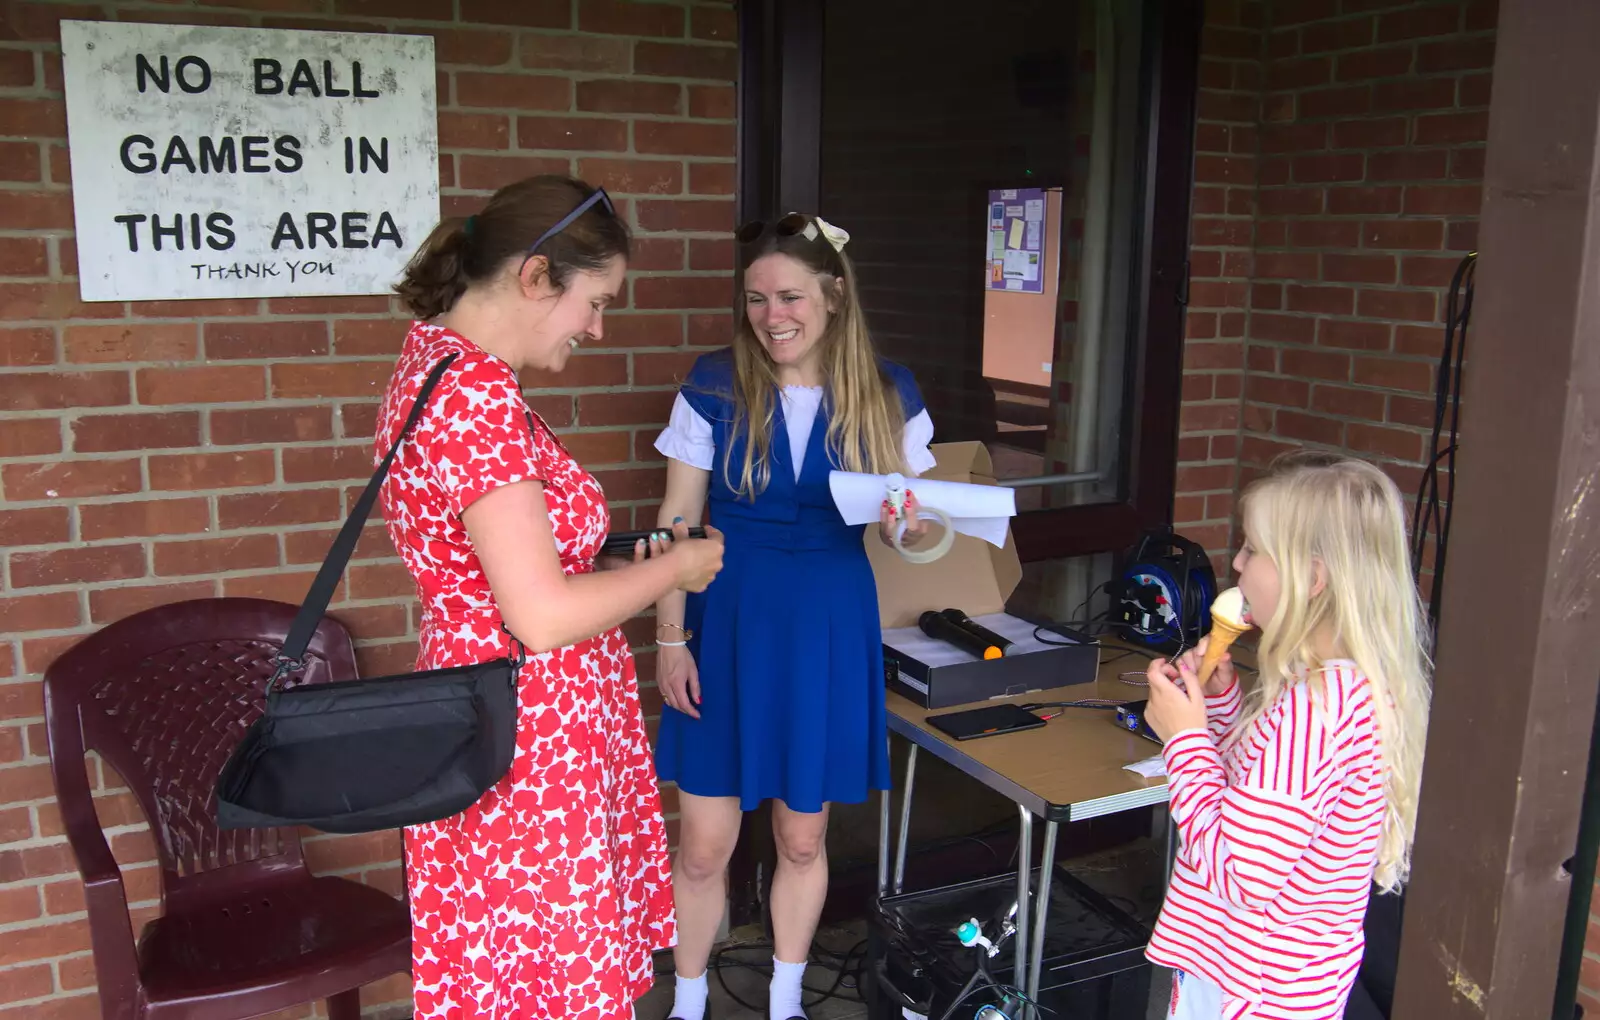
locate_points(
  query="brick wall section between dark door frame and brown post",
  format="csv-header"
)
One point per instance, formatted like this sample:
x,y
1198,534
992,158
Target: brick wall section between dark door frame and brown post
x,y
1338,183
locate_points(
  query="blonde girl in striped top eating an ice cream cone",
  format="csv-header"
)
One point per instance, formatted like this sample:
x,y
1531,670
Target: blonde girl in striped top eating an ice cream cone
x,y
1292,800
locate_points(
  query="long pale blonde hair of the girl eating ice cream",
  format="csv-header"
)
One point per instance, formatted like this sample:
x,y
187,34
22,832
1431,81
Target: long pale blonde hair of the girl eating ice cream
x,y
1350,517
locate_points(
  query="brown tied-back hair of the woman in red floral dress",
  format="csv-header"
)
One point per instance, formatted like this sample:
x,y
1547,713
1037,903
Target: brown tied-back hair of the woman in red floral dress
x,y
465,252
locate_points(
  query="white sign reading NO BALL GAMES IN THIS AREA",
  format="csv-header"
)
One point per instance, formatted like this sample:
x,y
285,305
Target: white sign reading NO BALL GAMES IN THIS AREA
x,y
247,162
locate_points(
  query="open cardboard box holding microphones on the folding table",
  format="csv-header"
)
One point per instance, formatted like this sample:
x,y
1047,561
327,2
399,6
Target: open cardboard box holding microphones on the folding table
x,y
978,580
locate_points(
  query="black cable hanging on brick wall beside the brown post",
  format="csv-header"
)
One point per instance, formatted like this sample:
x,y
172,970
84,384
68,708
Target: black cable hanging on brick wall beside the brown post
x,y
1433,512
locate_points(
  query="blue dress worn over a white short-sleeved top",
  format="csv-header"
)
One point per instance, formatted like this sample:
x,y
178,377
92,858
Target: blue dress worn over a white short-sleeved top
x,y
786,639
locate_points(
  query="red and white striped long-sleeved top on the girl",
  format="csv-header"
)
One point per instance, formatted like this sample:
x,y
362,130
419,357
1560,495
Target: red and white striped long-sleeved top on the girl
x,y
1279,843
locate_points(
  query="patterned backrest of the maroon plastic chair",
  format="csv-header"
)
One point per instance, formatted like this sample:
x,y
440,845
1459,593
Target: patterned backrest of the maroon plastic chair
x,y
166,696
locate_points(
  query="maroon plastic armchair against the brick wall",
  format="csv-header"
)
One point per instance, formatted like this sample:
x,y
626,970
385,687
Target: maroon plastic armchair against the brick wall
x,y
246,930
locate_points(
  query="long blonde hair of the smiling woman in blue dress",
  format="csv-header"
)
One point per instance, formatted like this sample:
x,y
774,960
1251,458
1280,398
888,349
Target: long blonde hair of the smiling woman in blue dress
x,y
866,418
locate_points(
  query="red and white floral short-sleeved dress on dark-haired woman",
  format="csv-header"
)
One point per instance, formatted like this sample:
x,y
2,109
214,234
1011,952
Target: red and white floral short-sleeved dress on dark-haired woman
x,y
546,898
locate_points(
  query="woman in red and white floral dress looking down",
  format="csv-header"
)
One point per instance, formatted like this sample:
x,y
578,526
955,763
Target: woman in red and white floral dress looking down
x,y
548,898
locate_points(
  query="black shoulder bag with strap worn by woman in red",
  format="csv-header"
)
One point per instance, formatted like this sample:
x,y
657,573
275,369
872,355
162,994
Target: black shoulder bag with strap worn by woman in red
x,y
374,754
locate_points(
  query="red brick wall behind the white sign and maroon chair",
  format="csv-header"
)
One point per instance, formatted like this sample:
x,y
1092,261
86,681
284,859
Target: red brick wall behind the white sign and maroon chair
x,y
175,450
